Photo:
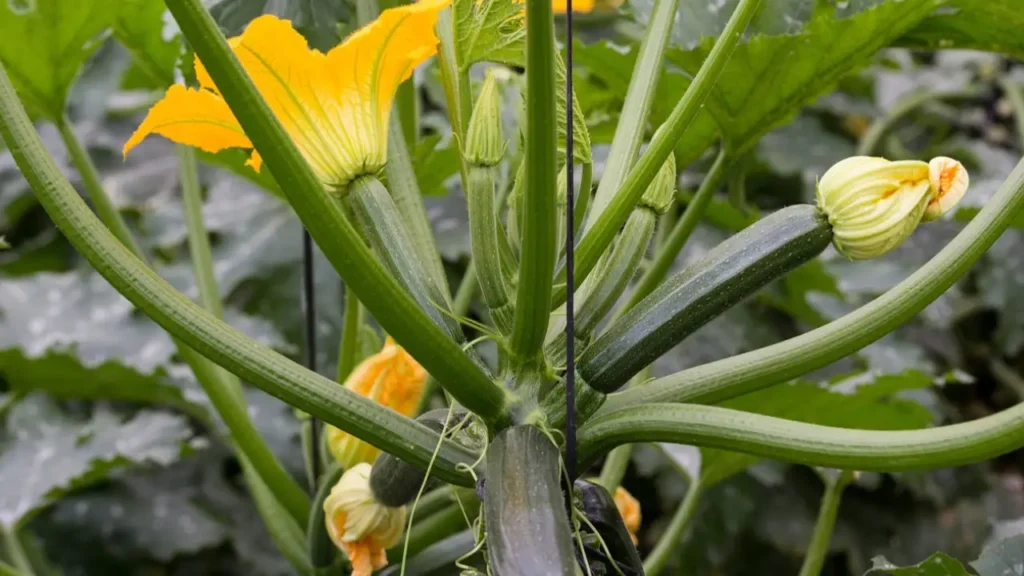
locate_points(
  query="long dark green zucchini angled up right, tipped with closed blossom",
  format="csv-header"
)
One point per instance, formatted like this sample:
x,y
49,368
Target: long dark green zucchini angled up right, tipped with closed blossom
x,y
735,270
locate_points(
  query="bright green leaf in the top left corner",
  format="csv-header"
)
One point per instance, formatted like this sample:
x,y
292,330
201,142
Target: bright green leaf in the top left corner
x,y
45,44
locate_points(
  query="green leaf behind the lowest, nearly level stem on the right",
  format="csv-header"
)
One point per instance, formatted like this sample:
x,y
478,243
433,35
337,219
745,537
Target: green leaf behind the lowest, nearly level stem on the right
x,y
854,403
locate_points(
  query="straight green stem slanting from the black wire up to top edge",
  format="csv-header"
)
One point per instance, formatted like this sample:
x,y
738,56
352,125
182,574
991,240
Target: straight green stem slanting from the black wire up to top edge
x,y
612,219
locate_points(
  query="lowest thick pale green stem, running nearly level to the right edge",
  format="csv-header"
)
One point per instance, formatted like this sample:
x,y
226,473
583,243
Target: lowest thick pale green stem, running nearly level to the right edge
x,y
815,445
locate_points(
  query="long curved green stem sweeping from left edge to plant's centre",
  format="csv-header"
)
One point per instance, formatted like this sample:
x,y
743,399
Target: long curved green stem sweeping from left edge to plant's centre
x,y
200,331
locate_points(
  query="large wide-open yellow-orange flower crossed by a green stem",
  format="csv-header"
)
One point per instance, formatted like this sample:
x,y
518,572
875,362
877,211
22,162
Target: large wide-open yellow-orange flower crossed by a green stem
x,y
335,106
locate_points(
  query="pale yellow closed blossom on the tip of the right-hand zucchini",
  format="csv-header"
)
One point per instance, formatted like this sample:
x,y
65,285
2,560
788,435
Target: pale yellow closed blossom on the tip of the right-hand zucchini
x,y
875,204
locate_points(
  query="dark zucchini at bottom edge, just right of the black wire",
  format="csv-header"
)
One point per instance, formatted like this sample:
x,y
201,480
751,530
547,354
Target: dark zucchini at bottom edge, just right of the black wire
x,y
600,508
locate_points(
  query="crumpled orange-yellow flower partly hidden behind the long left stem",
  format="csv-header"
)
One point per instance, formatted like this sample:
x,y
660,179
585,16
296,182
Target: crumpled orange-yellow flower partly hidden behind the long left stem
x,y
391,378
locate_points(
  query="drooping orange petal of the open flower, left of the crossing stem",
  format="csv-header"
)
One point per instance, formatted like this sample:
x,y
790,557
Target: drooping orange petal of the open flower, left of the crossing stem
x,y
197,118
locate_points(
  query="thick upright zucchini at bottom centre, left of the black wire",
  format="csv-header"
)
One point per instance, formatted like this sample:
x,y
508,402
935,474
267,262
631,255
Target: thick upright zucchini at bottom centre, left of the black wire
x,y
526,519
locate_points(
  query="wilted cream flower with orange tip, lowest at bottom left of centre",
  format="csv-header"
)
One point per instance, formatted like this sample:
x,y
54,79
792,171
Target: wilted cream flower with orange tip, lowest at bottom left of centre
x,y
360,525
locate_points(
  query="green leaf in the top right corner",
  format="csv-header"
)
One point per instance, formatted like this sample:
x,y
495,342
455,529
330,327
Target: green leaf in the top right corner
x,y
978,25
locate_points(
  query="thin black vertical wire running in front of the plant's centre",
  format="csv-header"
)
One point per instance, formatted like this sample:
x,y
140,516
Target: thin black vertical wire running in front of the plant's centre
x,y
571,457
